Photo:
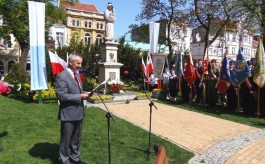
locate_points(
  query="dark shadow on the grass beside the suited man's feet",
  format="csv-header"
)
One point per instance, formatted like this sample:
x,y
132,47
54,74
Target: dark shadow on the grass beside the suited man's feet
x,y
46,151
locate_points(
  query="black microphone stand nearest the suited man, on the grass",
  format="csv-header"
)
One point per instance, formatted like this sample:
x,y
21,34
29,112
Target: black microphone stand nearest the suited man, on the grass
x,y
108,115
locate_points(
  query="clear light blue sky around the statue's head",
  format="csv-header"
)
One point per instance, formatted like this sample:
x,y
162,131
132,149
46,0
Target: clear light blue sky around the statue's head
x,y
126,11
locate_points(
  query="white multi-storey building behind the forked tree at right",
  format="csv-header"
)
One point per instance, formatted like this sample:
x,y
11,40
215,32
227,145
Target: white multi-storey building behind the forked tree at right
x,y
231,40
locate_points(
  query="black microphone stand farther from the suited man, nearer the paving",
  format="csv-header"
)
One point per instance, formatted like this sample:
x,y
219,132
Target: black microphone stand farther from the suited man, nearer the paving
x,y
151,104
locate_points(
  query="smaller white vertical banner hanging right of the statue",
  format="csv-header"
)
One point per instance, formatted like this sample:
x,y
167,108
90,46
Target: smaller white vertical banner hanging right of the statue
x,y
153,36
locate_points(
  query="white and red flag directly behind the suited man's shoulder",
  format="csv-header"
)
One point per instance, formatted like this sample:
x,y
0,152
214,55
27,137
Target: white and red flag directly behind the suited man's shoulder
x,y
58,64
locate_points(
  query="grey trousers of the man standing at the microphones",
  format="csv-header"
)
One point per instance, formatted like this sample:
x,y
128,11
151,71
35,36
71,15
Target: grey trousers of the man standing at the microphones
x,y
71,132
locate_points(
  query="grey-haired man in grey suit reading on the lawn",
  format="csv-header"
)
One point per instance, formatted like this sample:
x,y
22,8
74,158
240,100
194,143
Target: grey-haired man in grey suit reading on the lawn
x,y
70,94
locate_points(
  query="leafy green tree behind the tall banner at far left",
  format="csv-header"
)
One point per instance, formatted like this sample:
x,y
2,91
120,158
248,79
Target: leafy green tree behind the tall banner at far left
x,y
16,22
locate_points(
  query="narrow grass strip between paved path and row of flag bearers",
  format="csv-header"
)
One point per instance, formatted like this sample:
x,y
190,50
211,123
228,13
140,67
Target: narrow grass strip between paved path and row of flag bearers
x,y
221,112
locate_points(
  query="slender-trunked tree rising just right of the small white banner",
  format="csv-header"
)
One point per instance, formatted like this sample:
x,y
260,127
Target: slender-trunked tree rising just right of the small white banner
x,y
169,11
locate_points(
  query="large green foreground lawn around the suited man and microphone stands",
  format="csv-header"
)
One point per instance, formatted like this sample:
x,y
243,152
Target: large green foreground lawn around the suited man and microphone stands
x,y
29,133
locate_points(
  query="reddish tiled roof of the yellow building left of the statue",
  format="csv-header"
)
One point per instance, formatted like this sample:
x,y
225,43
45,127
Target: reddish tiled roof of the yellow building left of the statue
x,y
80,7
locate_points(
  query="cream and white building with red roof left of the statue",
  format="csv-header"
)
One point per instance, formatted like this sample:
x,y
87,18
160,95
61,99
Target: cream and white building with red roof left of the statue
x,y
83,22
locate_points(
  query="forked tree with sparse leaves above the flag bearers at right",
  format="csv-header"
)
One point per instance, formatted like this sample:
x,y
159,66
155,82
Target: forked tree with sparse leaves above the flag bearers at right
x,y
217,15
